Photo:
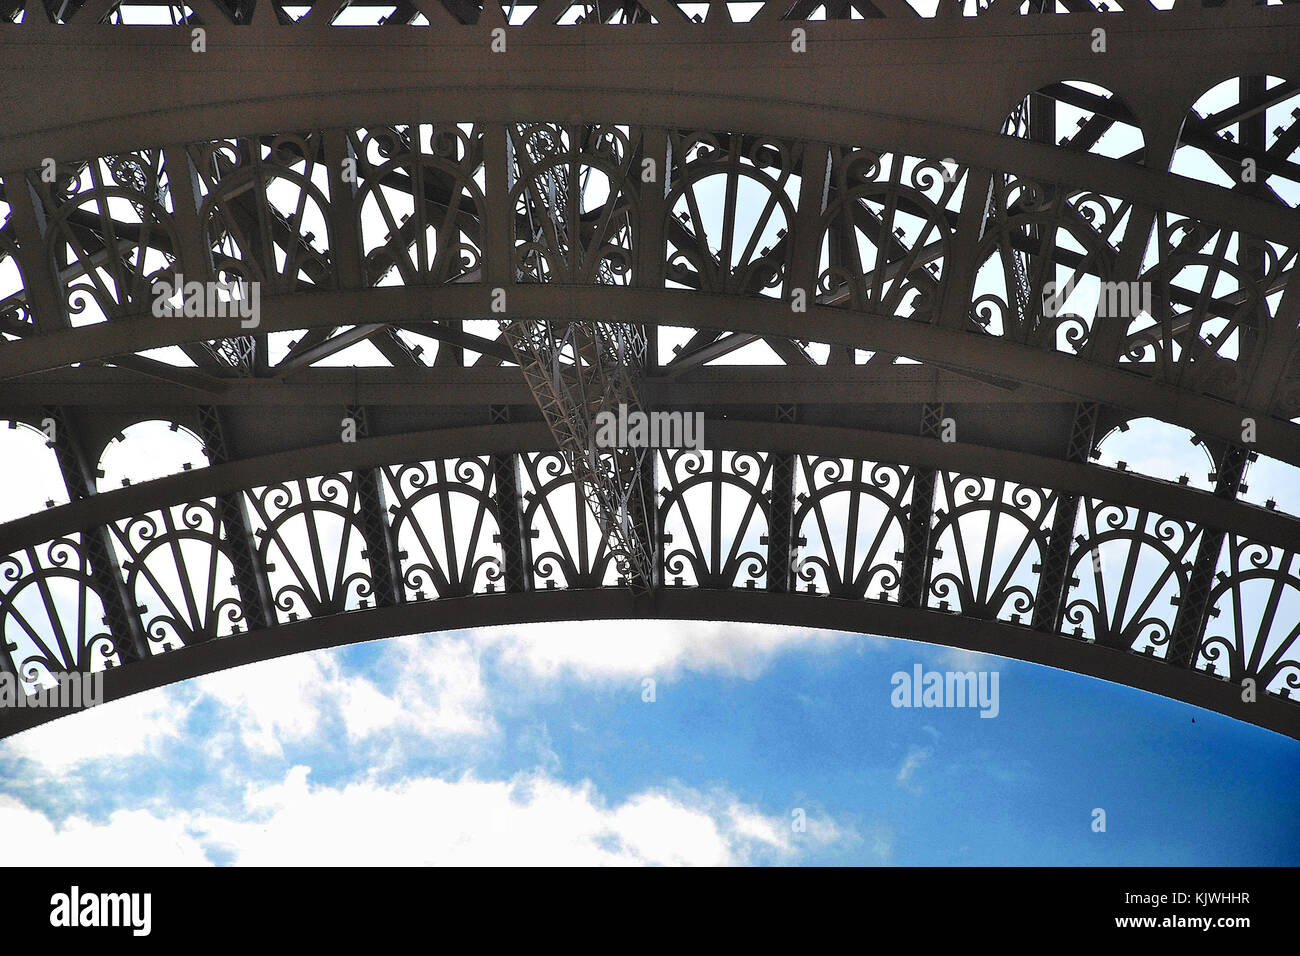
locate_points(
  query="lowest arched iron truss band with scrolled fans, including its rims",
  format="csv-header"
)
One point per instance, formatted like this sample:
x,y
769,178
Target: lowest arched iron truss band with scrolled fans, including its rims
x,y
846,544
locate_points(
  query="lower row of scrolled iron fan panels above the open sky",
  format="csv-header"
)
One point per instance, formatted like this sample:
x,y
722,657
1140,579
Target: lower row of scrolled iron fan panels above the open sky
x,y
1129,568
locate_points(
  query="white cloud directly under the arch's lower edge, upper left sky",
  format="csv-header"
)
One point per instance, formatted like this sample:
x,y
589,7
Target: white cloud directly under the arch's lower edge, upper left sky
x,y
437,687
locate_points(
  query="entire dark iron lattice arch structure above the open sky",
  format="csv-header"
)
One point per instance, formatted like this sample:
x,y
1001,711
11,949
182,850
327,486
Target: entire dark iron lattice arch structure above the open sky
x,y
846,232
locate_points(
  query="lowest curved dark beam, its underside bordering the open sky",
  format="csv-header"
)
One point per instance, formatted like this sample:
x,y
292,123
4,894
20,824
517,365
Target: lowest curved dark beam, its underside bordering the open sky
x,y
690,604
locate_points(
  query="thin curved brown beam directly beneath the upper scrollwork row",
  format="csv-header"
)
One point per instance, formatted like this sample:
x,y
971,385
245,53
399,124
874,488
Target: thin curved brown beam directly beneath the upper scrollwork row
x,y
1068,377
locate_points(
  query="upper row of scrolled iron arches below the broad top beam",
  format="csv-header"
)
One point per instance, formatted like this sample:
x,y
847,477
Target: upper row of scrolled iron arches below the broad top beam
x,y
1168,295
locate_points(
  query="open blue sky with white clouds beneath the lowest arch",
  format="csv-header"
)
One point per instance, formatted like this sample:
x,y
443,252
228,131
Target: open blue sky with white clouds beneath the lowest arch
x,y
536,746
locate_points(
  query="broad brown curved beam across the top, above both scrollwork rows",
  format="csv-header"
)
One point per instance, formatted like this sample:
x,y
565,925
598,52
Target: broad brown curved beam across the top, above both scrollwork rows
x,y
749,72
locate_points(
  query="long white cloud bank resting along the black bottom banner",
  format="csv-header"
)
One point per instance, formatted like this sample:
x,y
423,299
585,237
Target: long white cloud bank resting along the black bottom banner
x,y
528,820
